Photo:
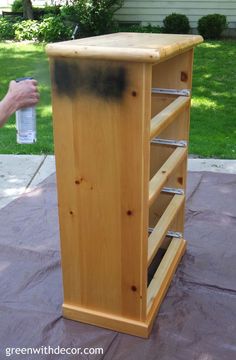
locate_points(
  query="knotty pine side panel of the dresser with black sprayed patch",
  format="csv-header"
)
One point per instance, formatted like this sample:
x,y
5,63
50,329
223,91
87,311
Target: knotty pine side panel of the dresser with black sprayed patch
x,y
102,172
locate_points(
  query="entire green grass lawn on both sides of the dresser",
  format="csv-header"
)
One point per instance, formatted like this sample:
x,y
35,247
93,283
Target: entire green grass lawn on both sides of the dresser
x,y
213,115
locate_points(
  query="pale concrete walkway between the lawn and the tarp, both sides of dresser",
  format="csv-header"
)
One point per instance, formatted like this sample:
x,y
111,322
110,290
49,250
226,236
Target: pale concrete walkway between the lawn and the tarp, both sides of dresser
x,y
22,173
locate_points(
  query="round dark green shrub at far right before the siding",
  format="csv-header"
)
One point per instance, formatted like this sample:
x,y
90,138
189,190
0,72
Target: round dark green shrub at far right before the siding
x,y
212,26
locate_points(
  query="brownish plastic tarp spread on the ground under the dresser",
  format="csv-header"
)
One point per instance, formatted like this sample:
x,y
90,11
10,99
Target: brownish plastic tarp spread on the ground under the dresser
x,y
197,320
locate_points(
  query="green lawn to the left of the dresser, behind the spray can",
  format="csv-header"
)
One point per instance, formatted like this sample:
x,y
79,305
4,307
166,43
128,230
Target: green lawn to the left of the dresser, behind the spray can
x,y
20,60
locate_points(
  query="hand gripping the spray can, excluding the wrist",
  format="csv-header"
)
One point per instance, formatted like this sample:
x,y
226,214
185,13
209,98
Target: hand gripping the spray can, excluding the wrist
x,y
23,94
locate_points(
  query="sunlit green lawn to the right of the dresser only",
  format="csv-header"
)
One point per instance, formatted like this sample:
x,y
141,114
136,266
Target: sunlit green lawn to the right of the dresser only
x,y
213,115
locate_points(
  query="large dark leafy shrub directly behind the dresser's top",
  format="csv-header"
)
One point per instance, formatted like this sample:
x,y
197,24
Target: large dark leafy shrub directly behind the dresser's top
x,y
94,17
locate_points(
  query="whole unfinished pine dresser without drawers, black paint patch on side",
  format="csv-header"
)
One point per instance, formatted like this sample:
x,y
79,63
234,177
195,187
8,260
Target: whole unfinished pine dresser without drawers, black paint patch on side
x,y
121,122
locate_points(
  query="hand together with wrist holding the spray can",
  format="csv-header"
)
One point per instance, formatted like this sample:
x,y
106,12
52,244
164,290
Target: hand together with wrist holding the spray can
x,y
20,94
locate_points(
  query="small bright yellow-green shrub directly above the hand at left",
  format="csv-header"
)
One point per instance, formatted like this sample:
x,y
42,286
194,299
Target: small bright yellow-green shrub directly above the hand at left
x,y
27,30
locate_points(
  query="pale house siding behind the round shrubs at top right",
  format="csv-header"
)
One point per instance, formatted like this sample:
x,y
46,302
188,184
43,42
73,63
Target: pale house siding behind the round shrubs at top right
x,y
154,12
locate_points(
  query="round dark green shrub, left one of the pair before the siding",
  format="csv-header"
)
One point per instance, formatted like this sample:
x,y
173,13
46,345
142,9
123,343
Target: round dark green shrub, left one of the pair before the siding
x,y
176,24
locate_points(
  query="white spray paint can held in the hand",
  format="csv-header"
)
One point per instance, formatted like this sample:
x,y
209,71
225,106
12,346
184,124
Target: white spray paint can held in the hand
x,y
26,122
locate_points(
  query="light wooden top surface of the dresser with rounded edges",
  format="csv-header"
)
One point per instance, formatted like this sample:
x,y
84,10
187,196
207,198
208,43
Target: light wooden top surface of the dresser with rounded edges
x,y
140,47
